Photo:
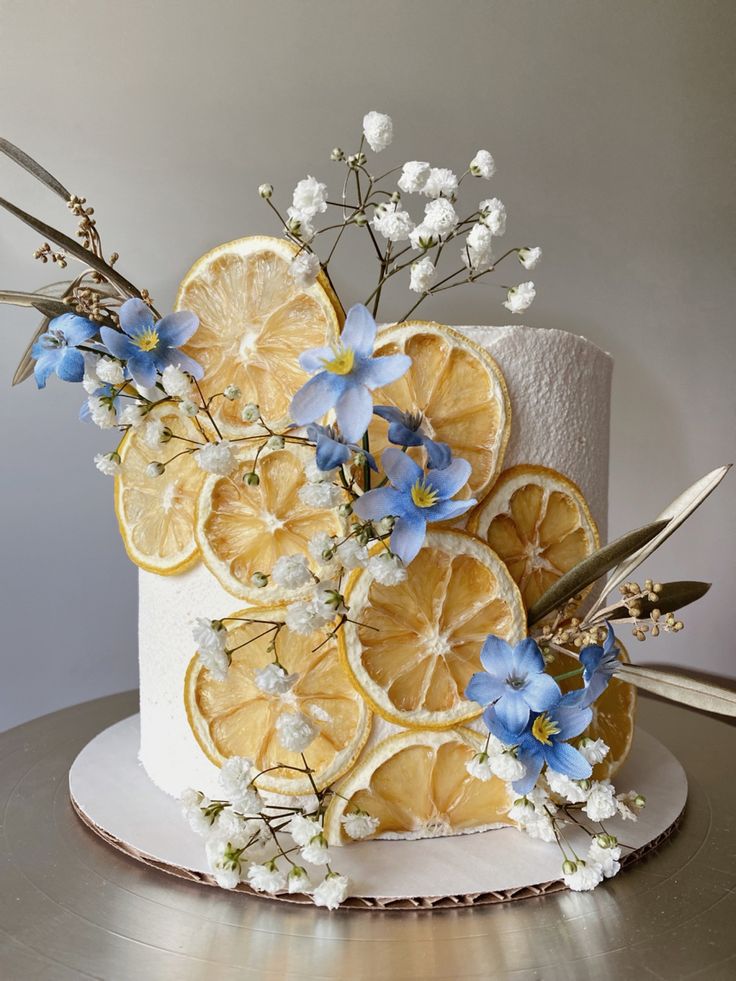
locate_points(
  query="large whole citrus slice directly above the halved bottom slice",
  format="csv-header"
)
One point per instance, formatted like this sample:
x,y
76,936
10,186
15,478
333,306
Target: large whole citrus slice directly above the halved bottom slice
x,y
416,645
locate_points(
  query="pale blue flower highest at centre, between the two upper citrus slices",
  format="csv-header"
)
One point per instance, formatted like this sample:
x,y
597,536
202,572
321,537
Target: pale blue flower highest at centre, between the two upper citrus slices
x,y
346,376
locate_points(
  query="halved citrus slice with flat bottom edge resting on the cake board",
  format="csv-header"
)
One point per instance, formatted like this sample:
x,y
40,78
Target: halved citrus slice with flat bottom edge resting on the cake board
x,y
416,785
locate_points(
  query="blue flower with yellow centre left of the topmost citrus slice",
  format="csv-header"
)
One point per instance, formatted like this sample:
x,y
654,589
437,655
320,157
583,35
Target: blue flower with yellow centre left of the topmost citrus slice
x,y
149,346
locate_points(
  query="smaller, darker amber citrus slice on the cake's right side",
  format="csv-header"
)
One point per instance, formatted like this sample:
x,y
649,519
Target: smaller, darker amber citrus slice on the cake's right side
x,y
539,523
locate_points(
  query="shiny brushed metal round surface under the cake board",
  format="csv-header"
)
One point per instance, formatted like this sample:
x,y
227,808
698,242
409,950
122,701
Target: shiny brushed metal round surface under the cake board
x,y
73,907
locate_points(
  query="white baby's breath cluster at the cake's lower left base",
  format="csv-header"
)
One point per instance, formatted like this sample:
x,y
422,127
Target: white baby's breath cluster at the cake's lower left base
x,y
239,845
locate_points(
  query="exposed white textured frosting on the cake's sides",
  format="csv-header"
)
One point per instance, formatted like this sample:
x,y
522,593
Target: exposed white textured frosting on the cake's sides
x,y
559,385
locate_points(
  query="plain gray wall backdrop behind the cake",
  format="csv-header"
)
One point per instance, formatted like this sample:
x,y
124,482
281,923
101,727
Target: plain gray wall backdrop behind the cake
x,y
613,130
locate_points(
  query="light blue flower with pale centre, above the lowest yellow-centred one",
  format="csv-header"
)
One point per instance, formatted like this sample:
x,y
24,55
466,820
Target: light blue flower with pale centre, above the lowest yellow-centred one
x,y
514,681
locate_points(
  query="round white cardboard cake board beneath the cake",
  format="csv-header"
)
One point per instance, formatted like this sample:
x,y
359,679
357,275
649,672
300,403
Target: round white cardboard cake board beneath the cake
x,y
114,796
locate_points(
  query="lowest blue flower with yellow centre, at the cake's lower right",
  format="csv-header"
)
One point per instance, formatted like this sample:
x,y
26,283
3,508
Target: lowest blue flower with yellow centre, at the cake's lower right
x,y
544,740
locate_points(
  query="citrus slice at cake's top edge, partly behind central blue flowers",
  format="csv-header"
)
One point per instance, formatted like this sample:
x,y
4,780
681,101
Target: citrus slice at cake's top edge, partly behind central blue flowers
x,y
457,389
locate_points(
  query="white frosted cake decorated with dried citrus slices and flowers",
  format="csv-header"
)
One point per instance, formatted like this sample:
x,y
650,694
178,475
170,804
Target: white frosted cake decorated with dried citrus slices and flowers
x,y
372,561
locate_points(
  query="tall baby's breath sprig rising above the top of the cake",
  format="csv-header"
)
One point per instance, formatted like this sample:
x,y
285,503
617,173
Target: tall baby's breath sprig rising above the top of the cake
x,y
398,241
